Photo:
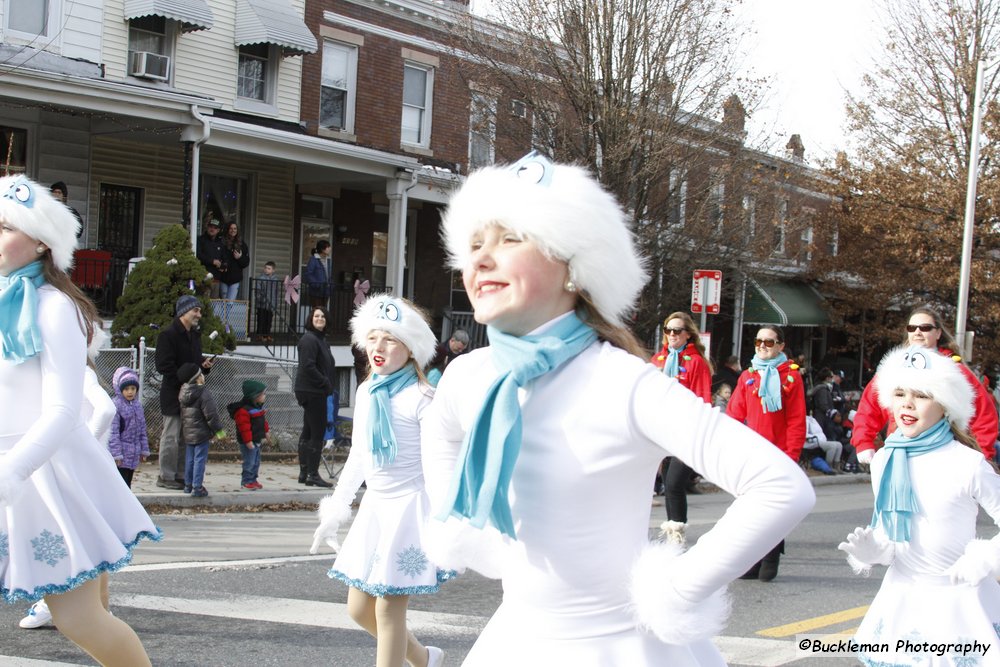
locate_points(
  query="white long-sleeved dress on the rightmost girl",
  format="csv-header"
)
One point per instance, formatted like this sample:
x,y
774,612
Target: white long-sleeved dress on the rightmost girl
x,y
916,601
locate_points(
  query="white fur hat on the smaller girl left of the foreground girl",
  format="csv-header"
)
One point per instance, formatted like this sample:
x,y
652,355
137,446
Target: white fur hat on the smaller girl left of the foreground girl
x,y
398,317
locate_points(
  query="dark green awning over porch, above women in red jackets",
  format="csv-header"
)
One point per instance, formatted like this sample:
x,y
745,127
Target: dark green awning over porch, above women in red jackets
x,y
784,303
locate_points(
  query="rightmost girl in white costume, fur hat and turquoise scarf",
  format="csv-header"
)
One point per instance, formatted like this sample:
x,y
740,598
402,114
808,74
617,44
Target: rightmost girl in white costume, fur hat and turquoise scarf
x,y
930,479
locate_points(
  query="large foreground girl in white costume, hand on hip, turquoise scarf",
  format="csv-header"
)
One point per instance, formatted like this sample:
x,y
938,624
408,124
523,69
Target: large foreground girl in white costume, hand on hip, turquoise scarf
x,y
541,448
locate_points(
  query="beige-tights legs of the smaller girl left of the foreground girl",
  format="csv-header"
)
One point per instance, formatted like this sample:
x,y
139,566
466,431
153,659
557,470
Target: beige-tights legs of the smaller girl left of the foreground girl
x,y
384,618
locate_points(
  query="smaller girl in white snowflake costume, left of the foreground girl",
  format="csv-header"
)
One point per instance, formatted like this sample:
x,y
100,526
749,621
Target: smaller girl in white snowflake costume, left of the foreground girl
x,y
383,559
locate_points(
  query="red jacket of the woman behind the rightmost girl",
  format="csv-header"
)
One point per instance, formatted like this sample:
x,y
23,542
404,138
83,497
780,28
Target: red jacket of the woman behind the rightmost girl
x,y
872,417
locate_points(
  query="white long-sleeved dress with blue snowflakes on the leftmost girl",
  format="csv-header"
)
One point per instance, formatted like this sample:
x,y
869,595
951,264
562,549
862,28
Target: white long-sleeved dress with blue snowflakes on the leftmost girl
x,y
74,517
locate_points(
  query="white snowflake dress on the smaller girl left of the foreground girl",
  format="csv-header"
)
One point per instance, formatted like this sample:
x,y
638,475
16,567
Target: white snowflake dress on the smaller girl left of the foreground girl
x,y
383,552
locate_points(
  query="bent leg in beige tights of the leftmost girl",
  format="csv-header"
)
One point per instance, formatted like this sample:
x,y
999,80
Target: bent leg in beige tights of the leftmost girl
x,y
82,616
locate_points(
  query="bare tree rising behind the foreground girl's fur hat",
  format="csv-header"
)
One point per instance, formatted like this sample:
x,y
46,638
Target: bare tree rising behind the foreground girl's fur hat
x,y
633,89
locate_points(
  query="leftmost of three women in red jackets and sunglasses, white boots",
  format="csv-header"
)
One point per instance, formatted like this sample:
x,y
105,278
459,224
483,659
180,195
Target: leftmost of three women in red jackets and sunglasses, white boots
x,y
683,357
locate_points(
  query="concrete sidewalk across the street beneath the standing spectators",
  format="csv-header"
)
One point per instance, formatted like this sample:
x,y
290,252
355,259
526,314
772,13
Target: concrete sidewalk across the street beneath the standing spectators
x,y
280,480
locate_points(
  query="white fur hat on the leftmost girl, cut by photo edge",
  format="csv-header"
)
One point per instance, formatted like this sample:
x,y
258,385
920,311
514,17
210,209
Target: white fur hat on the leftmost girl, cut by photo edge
x,y
31,208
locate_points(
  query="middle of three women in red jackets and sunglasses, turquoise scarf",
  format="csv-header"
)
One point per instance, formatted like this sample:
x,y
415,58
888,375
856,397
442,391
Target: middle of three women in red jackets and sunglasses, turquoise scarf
x,y
769,398
